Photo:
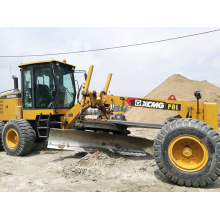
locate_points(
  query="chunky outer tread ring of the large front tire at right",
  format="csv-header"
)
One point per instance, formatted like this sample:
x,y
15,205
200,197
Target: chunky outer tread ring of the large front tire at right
x,y
188,123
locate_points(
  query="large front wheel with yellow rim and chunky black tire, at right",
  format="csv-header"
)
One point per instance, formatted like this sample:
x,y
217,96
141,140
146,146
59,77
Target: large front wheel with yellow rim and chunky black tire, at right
x,y
187,151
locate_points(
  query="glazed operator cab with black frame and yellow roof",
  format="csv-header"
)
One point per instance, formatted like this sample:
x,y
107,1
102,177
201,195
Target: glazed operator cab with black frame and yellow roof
x,y
47,85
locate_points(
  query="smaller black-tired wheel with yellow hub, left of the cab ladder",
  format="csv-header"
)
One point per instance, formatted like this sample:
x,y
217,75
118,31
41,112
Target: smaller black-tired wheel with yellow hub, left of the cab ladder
x,y
18,137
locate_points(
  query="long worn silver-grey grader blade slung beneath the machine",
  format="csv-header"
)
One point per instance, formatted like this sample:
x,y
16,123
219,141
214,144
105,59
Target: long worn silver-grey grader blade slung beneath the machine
x,y
71,139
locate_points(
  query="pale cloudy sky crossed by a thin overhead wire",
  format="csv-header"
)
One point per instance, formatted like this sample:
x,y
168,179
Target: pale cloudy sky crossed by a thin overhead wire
x,y
136,70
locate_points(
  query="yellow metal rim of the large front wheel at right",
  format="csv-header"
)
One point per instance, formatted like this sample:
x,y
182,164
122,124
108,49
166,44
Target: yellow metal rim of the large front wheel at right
x,y
187,153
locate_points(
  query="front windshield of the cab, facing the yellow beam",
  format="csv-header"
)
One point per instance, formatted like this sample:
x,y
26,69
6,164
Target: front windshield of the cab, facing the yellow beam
x,y
66,95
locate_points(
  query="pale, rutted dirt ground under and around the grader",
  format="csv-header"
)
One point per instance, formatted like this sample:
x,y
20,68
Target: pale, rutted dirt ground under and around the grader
x,y
46,170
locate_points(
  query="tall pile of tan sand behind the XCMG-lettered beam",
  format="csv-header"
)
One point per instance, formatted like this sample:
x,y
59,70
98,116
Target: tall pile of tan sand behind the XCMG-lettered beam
x,y
183,89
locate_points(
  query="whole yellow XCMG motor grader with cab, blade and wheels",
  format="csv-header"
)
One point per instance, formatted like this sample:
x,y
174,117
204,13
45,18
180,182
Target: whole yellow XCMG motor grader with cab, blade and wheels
x,y
186,148
